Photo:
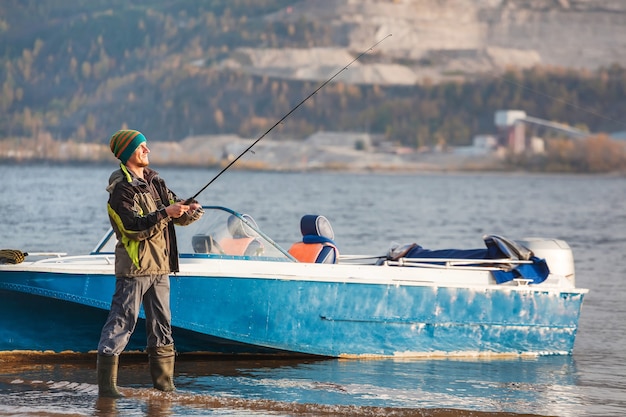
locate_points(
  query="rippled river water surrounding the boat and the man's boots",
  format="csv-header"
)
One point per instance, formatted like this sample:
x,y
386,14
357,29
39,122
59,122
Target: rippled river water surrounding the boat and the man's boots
x,y
48,208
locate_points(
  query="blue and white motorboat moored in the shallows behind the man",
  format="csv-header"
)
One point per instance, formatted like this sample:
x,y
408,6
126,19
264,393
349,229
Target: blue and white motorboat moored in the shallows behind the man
x,y
252,296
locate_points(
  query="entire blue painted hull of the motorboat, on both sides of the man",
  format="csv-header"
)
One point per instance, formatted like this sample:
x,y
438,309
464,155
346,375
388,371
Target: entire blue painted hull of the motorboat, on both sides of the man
x,y
60,311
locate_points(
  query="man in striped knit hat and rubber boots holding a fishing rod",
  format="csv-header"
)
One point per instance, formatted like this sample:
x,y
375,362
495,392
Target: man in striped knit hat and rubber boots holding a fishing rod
x,y
143,212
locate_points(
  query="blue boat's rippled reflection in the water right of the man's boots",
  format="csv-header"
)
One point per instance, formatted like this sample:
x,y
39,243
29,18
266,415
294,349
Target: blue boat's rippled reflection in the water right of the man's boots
x,y
541,385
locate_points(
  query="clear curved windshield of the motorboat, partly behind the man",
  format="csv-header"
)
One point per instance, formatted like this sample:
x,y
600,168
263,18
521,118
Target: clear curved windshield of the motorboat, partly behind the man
x,y
220,232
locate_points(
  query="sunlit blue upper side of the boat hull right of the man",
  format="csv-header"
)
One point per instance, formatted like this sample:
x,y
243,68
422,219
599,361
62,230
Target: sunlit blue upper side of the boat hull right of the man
x,y
346,319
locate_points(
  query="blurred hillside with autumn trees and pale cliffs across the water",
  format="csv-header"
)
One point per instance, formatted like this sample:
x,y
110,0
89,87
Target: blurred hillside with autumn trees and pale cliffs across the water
x,y
76,71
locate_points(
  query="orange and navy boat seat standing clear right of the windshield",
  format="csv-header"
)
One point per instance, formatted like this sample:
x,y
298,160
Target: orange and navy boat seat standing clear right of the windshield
x,y
317,245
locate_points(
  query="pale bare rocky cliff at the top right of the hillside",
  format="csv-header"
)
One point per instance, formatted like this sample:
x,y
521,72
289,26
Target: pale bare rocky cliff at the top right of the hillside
x,y
433,40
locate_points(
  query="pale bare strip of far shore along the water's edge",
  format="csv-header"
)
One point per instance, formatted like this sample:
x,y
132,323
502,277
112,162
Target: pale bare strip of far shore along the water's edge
x,y
217,152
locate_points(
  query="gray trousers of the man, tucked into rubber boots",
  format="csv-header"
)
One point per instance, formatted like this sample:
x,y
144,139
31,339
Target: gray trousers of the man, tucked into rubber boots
x,y
154,292
